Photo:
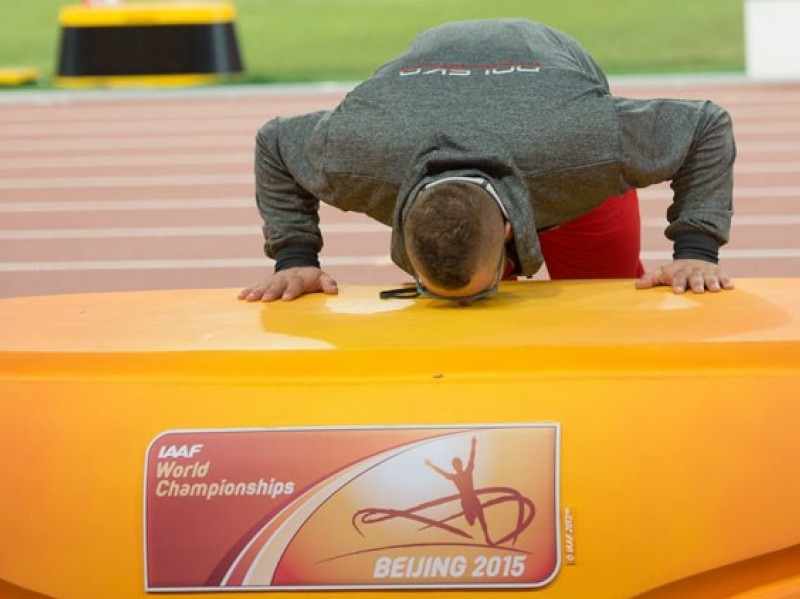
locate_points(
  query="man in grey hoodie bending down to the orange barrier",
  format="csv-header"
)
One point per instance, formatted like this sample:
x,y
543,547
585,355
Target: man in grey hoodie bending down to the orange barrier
x,y
491,147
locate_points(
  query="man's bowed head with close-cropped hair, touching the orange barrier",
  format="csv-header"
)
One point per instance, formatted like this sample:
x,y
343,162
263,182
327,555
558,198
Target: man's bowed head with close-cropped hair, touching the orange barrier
x,y
454,234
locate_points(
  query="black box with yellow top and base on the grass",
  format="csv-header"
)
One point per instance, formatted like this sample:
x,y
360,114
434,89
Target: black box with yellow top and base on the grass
x,y
147,44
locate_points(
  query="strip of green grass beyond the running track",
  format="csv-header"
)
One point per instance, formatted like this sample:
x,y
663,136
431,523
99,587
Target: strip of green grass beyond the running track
x,y
345,40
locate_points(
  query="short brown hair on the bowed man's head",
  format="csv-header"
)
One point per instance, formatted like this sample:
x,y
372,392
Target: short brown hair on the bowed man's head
x,y
448,229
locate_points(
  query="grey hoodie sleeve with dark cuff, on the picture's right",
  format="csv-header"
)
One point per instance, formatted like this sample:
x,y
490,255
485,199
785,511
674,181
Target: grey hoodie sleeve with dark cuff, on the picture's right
x,y
690,144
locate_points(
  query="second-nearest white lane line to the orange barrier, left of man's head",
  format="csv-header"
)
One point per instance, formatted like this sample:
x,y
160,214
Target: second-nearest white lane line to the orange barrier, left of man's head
x,y
148,232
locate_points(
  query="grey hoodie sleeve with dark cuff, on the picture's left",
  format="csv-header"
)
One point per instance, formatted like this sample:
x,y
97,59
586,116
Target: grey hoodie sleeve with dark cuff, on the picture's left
x,y
288,184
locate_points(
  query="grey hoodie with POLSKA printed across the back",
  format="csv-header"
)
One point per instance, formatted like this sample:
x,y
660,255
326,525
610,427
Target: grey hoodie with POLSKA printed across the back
x,y
513,101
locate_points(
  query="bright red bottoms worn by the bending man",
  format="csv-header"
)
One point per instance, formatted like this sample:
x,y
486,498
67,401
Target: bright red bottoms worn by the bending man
x,y
602,244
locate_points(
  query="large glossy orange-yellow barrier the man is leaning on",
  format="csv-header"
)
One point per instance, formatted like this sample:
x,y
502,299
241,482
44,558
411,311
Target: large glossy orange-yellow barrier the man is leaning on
x,y
676,419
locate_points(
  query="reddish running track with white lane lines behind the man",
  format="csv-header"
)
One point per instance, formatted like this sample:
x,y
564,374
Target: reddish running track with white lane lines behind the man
x,y
111,192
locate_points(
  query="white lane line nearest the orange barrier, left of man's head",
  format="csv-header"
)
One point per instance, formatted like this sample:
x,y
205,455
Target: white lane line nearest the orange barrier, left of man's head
x,y
201,263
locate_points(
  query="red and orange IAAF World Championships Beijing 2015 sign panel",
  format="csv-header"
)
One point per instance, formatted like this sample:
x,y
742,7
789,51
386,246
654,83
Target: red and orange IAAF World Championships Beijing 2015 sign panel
x,y
391,507
